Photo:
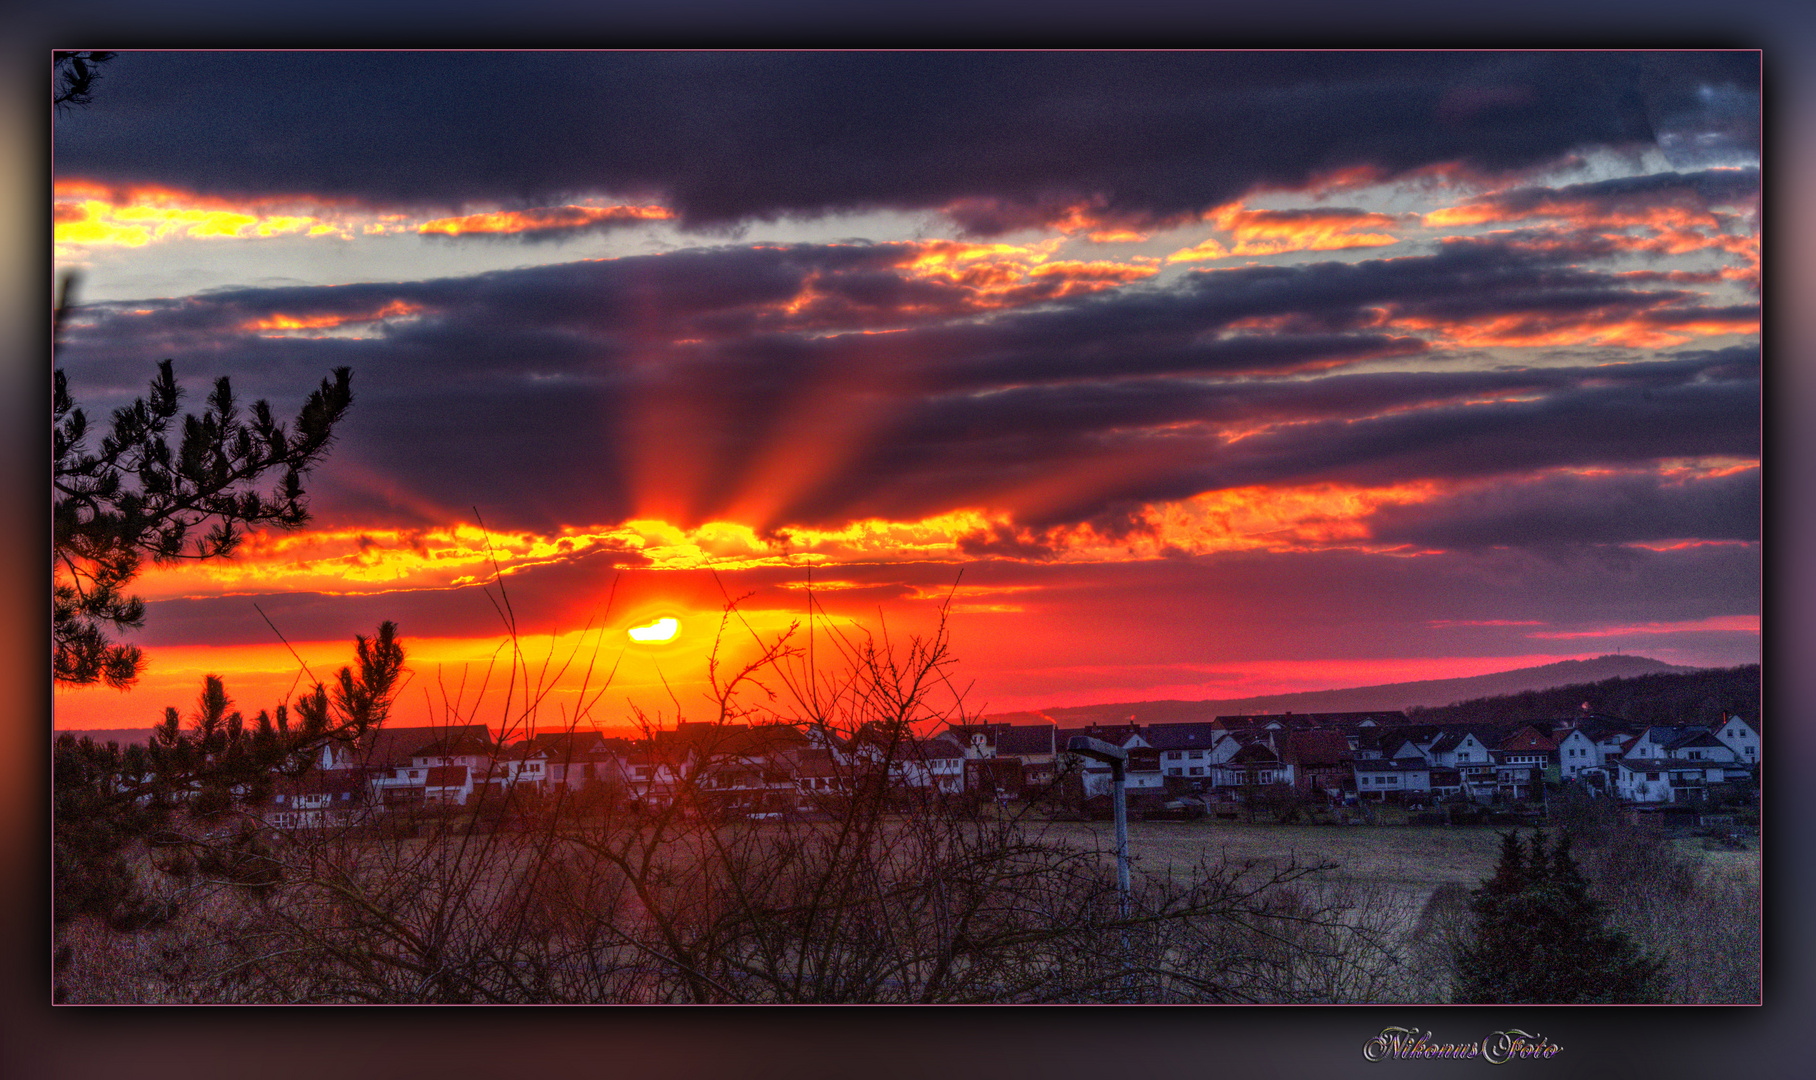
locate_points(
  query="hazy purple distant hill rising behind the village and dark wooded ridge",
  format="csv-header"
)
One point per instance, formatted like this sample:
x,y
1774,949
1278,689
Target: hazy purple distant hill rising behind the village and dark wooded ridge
x,y
1392,696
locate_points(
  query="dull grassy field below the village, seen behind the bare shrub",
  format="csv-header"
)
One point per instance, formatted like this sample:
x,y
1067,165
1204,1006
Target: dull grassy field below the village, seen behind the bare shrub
x,y
1385,878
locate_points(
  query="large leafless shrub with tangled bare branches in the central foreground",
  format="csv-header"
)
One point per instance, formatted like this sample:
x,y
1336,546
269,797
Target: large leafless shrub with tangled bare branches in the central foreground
x,y
878,896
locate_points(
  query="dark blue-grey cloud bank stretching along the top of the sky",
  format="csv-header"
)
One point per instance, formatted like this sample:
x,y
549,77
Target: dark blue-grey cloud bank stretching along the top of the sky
x,y
1003,139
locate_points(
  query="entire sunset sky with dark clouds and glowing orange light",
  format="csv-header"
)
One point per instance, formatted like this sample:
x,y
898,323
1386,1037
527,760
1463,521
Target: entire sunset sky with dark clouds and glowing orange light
x,y
1181,375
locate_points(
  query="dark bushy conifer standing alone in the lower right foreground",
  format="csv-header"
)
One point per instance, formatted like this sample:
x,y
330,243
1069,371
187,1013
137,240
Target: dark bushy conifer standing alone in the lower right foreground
x,y
1539,938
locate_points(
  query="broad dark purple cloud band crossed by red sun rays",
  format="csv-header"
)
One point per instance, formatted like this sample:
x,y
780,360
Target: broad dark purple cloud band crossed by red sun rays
x,y
549,395
